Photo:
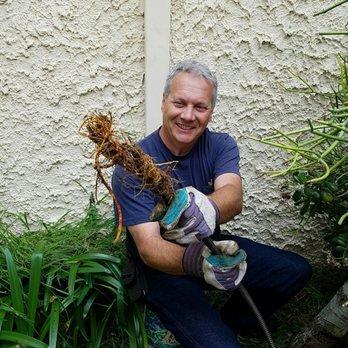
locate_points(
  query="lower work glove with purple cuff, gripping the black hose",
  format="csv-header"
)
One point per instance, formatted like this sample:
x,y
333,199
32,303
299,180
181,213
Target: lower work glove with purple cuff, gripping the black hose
x,y
224,272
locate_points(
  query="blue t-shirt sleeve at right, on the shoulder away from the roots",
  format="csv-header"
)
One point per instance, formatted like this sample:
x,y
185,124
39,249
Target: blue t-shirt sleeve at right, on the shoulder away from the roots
x,y
227,159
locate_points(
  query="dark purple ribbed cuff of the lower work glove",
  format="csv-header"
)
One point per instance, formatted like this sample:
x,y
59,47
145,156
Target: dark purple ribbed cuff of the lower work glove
x,y
192,260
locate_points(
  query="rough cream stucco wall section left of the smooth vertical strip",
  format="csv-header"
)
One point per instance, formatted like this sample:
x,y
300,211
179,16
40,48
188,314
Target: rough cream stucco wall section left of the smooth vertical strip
x,y
58,61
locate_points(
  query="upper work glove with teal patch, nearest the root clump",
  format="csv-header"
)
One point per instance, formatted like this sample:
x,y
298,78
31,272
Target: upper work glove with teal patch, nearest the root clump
x,y
190,217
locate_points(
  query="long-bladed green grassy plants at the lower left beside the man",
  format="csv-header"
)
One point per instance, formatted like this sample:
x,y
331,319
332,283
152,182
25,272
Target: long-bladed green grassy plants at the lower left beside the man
x,y
71,293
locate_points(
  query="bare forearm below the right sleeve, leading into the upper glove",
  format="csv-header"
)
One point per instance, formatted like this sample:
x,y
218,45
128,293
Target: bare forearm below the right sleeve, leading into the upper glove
x,y
228,196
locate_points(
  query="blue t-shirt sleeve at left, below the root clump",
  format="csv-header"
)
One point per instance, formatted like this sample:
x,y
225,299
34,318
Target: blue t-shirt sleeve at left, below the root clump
x,y
136,203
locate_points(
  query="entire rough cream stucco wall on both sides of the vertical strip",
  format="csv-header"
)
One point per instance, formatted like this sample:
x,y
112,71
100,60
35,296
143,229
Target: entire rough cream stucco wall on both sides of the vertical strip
x,y
62,59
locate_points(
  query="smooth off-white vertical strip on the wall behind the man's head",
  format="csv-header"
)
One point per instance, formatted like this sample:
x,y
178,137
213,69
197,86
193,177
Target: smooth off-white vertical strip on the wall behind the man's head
x,y
157,38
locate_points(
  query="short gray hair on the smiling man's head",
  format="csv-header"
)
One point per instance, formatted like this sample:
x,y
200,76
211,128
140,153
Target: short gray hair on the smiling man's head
x,y
192,67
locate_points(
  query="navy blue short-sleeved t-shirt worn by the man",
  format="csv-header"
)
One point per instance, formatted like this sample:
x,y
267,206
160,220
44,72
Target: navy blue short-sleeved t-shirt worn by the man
x,y
212,155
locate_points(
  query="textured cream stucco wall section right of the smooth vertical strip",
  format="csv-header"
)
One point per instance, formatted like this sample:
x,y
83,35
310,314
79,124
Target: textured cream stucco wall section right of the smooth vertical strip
x,y
251,45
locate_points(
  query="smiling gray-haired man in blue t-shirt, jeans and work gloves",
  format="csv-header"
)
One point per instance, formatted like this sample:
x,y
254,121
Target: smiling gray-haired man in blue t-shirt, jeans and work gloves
x,y
177,266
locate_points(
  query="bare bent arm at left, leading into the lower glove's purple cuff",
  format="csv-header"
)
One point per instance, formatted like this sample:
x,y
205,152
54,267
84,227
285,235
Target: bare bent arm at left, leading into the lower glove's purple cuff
x,y
155,251
